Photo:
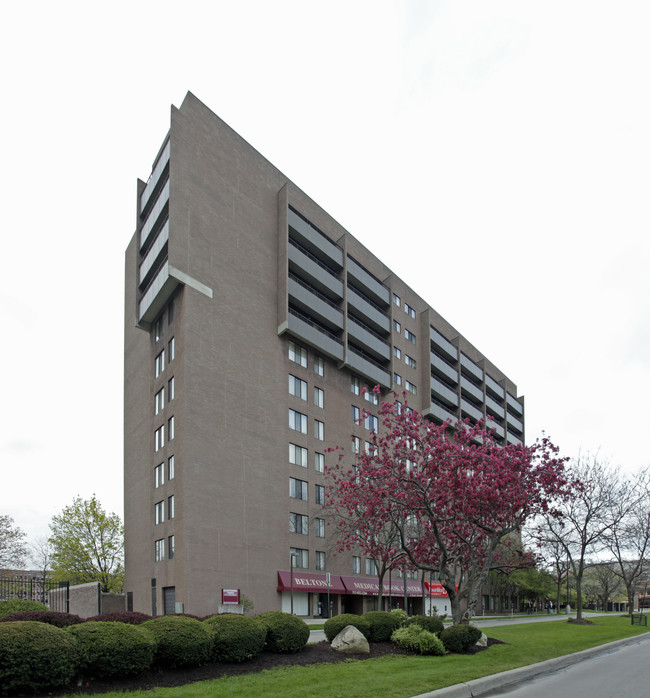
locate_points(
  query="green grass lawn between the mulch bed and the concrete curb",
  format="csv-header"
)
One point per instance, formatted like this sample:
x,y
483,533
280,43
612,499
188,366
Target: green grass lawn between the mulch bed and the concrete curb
x,y
409,676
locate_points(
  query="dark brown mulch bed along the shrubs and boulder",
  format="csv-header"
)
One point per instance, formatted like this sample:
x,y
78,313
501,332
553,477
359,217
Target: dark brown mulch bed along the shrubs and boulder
x,y
316,653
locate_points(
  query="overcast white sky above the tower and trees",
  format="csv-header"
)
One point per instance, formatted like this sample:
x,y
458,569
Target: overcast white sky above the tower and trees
x,y
505,143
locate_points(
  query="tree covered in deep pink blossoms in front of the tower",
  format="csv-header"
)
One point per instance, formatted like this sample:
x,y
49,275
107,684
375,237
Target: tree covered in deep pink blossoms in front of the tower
x,y
456,497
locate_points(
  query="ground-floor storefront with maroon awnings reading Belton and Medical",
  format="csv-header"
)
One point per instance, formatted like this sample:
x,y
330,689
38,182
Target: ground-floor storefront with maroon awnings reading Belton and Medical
x,y
326,595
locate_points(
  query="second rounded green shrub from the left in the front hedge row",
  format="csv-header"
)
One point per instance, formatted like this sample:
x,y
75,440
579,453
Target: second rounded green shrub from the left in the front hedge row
x,y
112,649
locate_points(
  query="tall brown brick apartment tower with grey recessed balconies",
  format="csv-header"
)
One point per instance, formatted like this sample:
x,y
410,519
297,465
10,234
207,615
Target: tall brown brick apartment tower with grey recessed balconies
x,y
253,321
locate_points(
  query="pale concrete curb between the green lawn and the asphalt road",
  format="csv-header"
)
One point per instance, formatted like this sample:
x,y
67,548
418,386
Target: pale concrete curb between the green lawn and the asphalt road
x,y
507,680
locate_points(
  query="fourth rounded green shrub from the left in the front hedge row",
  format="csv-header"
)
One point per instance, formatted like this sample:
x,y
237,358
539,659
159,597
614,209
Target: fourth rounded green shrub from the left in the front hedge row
x,y
235,637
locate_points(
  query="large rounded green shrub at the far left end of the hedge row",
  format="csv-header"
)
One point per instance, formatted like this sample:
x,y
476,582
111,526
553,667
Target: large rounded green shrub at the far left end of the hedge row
x,y
35,656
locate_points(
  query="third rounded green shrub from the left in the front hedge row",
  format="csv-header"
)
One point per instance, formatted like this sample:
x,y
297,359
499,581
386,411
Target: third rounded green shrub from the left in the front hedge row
x,y
180,641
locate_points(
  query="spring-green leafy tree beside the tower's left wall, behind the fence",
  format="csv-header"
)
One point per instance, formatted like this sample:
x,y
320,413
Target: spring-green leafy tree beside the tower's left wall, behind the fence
x,y
88,545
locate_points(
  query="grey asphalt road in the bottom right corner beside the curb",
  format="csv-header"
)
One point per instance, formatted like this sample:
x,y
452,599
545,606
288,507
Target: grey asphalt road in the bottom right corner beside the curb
x,y
622,672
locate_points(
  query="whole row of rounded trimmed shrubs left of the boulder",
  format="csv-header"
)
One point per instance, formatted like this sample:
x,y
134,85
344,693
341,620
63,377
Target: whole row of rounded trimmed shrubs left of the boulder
x,y
39,655
